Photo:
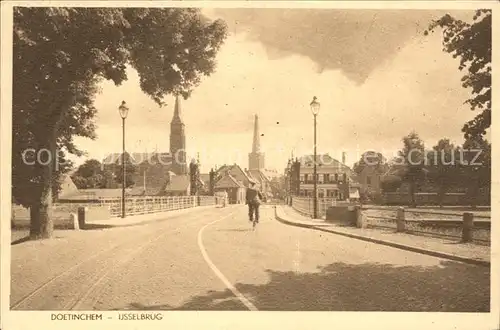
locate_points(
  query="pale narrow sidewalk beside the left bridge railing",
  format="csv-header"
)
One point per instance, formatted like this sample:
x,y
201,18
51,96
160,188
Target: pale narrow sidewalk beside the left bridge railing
x,y
136,220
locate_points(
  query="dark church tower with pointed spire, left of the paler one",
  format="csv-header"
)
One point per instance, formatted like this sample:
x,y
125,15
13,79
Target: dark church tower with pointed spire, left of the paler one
x,y
178,141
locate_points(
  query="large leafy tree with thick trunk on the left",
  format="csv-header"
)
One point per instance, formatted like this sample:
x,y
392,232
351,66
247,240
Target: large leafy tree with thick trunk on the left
x,y
61,55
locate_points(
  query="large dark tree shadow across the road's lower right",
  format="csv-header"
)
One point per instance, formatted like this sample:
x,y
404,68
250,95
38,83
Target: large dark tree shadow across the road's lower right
x,y
449,287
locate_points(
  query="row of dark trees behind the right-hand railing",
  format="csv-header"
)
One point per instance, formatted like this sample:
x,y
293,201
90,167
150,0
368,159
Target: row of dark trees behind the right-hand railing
x,y
443,168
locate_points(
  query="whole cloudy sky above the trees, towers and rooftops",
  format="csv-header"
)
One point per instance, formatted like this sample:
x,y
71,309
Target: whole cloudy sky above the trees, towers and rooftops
x,y
374,72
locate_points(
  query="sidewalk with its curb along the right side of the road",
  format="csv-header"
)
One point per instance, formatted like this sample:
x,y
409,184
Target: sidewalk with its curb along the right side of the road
x,y
442,248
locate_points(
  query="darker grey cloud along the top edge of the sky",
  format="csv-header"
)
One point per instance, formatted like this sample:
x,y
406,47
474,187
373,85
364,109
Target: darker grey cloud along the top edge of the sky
x,y
354,41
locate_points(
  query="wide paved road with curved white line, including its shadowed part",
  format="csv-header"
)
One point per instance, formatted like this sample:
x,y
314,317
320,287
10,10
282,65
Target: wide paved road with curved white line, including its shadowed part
x,y
212,260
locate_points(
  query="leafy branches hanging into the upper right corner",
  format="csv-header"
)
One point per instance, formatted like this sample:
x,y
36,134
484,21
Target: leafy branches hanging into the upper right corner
x,y
471,43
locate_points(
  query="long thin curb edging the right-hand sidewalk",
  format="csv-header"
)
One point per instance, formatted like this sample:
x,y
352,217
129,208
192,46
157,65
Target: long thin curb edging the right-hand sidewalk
x,y
388,243
